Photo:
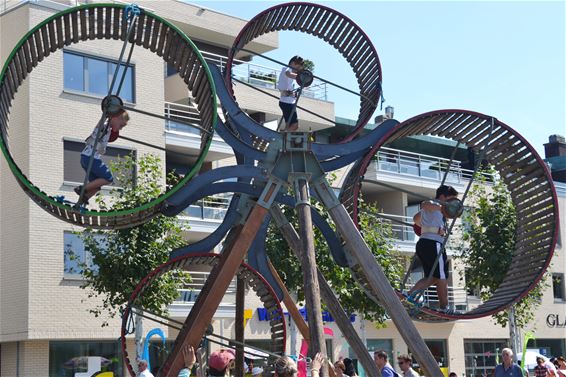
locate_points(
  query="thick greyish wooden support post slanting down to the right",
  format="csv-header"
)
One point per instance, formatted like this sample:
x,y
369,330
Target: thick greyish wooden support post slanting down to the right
x,y
383,290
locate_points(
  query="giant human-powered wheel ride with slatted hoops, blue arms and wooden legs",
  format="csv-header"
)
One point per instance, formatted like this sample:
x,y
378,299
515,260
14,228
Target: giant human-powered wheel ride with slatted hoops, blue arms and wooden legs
x,y
269,161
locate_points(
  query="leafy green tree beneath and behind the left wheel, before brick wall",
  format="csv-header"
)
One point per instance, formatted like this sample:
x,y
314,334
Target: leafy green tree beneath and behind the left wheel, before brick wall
x,y
122,258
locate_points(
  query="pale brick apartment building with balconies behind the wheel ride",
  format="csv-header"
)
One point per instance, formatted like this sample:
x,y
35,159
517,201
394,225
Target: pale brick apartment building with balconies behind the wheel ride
x,y
45,327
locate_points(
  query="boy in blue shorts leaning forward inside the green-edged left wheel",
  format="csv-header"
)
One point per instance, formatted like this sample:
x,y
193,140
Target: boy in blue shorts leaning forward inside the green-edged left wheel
x,y
100,174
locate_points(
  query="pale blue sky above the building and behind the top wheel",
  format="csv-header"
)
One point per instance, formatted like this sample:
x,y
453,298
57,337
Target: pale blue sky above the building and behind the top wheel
x,y
505,59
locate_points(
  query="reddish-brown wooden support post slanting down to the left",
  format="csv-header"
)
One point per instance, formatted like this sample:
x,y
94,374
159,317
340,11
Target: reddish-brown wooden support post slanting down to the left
x,y
237,244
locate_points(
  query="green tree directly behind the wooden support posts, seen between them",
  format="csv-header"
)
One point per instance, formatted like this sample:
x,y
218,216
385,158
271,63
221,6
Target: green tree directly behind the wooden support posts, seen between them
x,y
378,236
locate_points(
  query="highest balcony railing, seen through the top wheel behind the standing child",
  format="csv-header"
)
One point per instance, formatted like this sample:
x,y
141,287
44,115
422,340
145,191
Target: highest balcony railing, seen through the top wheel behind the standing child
x,y
263,76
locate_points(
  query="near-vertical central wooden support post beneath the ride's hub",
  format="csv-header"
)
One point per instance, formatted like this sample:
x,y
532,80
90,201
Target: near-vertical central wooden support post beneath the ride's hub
x,y
310,278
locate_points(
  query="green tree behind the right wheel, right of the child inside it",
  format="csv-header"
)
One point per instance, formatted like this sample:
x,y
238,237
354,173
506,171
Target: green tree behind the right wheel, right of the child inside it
x,y
489,235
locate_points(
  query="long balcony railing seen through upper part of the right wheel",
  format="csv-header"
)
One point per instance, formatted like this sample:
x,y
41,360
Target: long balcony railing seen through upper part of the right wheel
x,y
420,165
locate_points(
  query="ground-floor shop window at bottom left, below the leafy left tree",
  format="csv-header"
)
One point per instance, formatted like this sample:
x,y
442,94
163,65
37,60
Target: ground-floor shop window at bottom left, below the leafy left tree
x,y
68,358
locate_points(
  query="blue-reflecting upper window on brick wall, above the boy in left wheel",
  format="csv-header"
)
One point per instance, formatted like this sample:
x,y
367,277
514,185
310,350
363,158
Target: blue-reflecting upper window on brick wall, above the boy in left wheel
x,y
92,75
